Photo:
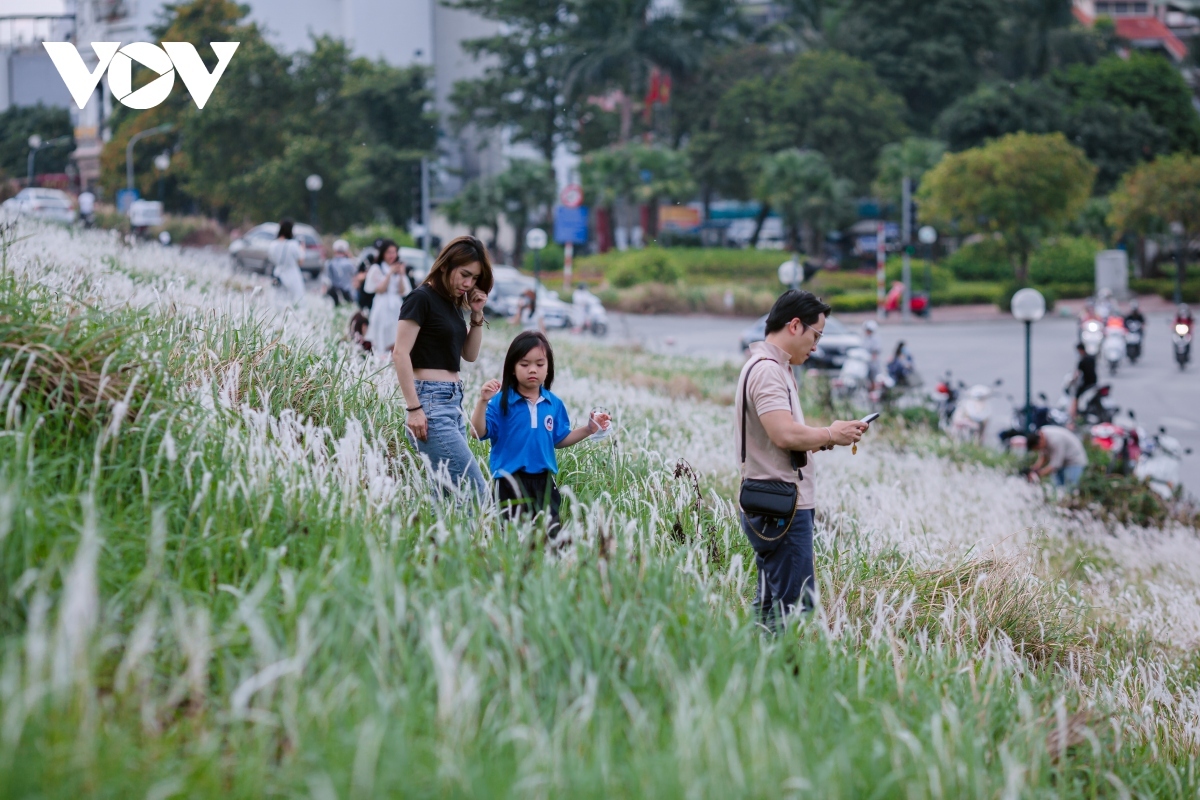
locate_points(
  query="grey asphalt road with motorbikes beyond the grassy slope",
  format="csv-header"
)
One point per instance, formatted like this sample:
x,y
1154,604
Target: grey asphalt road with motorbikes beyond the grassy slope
x,y
981,352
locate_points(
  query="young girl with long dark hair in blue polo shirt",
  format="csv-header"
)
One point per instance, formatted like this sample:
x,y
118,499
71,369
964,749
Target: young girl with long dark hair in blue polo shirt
x,y
526,423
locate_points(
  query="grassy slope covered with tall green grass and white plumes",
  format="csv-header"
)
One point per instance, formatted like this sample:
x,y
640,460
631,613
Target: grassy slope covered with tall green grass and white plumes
x,y
245,591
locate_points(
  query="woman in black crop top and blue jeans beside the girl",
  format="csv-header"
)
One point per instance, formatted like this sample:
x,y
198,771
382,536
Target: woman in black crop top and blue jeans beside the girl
x,y
431,341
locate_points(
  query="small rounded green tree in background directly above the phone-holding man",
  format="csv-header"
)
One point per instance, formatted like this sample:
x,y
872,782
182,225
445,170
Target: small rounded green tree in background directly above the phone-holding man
x,y
802,187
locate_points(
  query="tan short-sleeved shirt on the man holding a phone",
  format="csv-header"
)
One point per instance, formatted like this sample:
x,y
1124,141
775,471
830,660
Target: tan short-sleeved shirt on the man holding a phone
x,y
772,389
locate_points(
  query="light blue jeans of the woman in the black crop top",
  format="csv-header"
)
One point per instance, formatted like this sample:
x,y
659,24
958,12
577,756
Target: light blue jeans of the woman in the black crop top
x,y
453,466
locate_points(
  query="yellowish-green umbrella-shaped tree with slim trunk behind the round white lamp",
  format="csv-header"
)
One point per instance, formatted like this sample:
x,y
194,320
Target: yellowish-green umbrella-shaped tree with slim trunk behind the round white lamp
x,y
1022,187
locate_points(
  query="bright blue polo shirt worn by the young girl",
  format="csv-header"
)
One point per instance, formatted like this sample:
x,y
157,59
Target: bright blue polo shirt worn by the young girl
x,y
525,437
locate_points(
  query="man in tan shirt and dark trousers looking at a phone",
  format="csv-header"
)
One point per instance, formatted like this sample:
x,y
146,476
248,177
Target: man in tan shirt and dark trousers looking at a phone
x,y
775,429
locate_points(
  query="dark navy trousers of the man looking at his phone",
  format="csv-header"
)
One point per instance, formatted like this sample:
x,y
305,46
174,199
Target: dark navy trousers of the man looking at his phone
x,y
787,573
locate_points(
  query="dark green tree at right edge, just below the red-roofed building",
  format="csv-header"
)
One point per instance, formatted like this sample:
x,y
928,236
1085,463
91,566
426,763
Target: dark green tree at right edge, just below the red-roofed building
x,y
1147,82
